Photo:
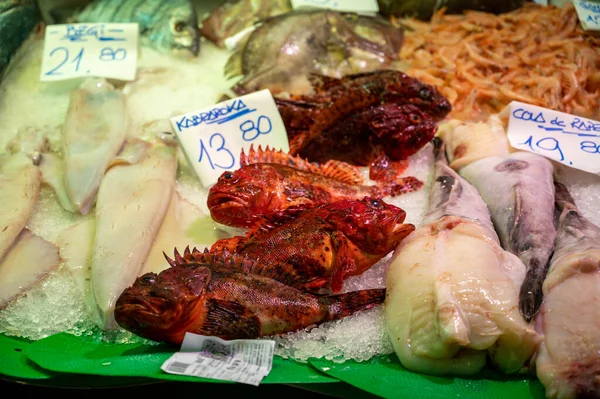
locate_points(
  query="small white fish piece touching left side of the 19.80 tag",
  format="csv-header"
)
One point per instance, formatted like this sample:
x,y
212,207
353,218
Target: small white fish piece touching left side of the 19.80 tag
x,y
467,142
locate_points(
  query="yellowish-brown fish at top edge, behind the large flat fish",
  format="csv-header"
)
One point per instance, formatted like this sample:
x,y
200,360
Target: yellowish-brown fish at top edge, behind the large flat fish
x,y
234,16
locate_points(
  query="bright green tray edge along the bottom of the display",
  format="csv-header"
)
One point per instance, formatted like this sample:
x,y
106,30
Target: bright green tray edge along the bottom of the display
x,y
70,361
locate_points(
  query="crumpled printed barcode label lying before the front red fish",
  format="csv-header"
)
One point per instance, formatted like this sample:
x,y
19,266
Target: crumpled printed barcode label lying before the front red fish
x,y
242,360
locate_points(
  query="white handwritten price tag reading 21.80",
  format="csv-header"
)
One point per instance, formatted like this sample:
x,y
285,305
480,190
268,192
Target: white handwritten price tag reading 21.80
x,y
98,49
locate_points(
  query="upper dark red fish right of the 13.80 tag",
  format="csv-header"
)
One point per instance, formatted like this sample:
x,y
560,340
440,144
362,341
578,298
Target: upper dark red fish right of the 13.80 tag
x,y
336,100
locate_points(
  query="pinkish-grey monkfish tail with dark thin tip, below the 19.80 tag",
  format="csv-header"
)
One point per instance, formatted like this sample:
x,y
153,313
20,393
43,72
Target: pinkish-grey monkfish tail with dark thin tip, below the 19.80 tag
x,y
519,192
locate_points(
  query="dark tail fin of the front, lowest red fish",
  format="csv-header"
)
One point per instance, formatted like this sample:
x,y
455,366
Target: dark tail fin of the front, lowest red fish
x,y
343,305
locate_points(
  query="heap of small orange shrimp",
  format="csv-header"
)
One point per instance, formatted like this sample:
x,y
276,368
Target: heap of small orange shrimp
x,y
481,62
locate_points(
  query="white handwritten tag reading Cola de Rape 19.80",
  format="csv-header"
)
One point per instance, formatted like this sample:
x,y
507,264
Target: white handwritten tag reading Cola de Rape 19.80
x,y
566,138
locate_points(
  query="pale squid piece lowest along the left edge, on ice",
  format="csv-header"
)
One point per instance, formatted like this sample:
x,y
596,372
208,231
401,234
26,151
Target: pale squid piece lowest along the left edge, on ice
x,y
28,262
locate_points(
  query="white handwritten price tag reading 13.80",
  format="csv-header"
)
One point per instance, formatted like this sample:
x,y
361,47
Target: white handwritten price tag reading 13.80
x,y
213,138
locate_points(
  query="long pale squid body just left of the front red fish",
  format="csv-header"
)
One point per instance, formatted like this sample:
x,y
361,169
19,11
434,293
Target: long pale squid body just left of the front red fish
x,y
131,205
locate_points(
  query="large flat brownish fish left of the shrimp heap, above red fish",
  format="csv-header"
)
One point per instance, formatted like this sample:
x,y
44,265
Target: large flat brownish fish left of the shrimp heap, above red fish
x,y
283,50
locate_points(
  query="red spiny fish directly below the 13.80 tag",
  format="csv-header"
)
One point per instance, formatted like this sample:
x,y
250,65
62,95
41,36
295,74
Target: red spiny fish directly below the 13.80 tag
x,y
274,186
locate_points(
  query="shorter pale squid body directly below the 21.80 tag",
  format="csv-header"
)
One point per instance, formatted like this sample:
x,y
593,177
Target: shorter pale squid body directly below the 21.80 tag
x,y
93,133
